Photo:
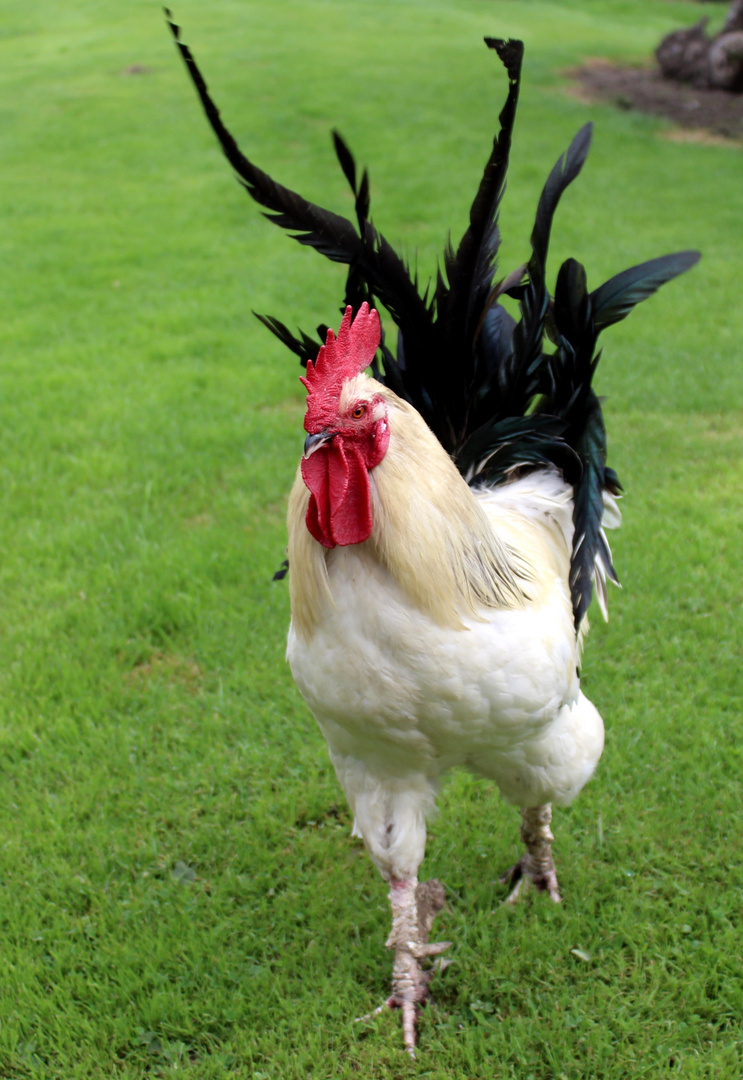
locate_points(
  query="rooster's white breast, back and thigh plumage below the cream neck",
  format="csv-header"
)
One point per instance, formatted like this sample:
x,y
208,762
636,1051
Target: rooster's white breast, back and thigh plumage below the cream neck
x,y
401,699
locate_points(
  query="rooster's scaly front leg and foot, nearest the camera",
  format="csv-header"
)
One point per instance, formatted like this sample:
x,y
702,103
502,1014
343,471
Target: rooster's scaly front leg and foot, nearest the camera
x,y
414,909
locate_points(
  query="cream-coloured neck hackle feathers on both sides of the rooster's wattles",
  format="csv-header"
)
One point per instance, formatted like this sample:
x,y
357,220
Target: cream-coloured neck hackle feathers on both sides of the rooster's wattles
x,y
429,532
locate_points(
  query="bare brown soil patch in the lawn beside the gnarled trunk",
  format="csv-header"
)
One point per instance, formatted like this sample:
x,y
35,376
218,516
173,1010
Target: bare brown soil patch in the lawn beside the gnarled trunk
x,y
714,112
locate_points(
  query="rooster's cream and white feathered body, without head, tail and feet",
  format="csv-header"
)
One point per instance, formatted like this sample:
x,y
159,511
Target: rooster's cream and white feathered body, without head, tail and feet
x,y
413,665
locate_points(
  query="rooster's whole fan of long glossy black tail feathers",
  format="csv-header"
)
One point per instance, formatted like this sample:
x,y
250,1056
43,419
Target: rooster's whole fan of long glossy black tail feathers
x,y
481,381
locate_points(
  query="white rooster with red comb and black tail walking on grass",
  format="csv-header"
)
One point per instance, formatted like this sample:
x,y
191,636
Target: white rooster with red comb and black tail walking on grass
x,y
447,526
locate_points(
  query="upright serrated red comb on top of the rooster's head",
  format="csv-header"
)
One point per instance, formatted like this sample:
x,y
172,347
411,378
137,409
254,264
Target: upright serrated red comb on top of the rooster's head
x,y
340,359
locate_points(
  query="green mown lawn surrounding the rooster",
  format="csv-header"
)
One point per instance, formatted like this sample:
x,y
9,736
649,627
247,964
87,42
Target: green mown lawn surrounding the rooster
x,y
180,892
